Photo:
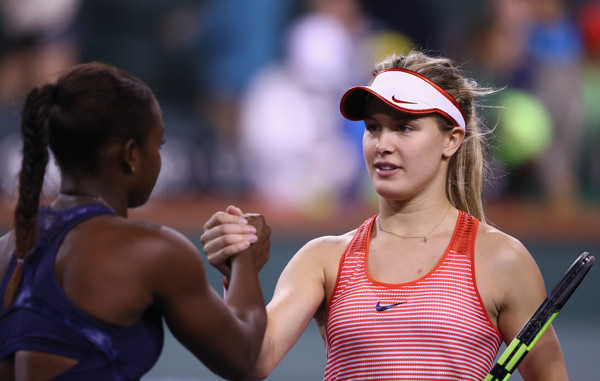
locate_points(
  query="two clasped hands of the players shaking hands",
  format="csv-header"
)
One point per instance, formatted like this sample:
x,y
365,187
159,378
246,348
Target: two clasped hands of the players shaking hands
x,y
231,233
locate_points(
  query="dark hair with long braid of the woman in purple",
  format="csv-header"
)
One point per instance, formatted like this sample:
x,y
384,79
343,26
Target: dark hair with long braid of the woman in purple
x,y
89,107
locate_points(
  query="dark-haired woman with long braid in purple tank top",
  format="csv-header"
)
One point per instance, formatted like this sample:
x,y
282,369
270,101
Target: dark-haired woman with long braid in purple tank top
x,y
84,289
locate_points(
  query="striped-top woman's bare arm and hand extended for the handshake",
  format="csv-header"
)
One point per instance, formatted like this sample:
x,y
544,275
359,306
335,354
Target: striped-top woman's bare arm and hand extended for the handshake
x,y
300,290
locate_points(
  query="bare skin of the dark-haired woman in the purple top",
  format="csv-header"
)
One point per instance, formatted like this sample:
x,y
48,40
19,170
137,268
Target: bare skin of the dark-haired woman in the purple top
x,y
144,266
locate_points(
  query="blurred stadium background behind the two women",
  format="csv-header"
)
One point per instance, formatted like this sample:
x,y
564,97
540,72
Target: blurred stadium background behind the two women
x,y
250,96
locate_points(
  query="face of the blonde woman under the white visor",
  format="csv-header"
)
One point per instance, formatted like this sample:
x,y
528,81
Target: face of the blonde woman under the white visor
x,y
406,155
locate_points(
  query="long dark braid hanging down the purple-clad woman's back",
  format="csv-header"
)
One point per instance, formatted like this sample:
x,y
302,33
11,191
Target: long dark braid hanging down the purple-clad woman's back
x,y
34,132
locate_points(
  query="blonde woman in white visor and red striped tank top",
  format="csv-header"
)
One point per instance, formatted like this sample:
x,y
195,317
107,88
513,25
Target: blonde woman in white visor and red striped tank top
x,y
425,289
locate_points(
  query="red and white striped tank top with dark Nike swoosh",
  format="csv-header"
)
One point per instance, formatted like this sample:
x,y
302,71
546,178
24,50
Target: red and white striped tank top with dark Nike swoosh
x,y
433,328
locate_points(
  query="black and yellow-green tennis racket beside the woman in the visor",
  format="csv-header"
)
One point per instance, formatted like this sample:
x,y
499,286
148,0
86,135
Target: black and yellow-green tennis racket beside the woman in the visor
x,y
541,319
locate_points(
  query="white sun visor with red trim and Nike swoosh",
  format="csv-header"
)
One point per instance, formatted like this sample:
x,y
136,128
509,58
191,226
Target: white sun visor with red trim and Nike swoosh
x,y
406,91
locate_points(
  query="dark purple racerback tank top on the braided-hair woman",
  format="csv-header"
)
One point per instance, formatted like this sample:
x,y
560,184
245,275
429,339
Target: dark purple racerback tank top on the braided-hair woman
x,y
42,318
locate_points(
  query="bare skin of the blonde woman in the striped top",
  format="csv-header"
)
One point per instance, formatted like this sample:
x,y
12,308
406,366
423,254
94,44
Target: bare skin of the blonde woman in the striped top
x,y
407,160
